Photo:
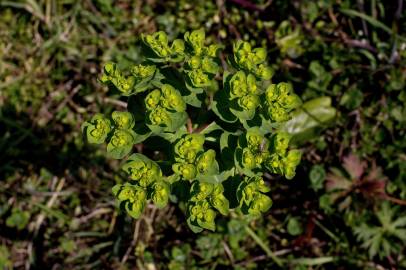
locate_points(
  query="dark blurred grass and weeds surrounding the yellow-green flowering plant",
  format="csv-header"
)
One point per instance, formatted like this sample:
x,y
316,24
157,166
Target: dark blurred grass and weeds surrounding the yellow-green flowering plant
x,y
345,209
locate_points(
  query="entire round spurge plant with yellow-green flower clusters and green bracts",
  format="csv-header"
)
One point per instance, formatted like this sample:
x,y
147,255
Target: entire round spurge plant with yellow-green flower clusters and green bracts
x,y
212,162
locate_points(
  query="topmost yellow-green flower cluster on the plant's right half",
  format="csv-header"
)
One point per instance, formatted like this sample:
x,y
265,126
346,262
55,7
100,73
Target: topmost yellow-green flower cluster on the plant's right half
x,y
252,60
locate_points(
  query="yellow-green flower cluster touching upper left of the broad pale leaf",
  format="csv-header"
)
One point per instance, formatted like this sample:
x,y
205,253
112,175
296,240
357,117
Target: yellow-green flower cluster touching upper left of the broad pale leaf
x,y
280,101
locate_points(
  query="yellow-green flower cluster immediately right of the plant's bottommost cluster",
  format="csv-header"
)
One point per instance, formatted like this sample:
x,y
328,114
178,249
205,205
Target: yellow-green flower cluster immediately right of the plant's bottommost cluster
x,y
251,197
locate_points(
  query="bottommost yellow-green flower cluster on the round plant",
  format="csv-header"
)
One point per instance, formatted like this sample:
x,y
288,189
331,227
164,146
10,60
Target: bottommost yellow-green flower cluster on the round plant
x,y
205,198
